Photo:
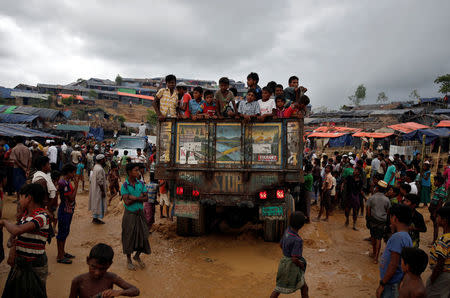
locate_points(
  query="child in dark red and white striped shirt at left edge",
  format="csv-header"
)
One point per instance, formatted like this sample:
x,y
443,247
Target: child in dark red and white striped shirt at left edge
x,y
27,258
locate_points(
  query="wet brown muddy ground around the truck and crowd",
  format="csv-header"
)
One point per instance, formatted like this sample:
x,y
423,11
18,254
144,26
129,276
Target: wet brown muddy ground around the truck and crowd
x,y
219,265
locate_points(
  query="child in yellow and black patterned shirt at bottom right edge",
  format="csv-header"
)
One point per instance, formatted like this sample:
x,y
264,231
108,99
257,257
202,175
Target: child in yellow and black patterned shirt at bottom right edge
x,y
438,284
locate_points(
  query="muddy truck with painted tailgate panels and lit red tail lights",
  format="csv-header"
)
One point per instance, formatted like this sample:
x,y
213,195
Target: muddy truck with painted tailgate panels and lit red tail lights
x,y
231,170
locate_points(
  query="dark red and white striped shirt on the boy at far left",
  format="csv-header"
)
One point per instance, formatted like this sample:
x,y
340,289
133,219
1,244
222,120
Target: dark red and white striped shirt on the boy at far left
x,y
31,245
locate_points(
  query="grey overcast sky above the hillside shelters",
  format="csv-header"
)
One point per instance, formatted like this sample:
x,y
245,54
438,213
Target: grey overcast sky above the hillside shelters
x,y
333,46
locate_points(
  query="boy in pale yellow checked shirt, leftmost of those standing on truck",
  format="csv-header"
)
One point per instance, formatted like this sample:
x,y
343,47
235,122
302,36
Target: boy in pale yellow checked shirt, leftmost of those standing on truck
x,y
166,100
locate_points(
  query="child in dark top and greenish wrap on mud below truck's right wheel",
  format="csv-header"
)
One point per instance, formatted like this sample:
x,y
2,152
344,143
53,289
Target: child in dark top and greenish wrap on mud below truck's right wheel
x,y
292,266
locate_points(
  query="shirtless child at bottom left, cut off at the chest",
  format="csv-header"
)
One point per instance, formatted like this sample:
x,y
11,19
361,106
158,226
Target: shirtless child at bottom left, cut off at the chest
x,y
98,282
